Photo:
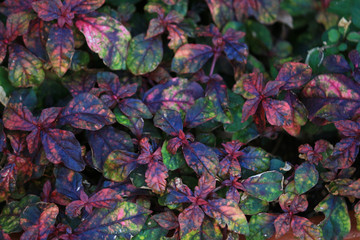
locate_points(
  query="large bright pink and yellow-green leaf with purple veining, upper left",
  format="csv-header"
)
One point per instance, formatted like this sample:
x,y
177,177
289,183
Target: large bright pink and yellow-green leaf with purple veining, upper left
x,y
107,37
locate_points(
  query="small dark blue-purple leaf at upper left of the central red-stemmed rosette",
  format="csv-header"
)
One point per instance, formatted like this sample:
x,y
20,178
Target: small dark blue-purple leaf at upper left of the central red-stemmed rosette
x,y
169,121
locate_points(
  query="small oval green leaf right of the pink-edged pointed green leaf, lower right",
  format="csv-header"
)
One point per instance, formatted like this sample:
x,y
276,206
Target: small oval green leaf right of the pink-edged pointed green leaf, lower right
x,y
306,177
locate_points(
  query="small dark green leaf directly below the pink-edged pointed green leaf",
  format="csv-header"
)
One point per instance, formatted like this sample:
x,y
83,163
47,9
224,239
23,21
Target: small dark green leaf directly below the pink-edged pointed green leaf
x,y
251,205
